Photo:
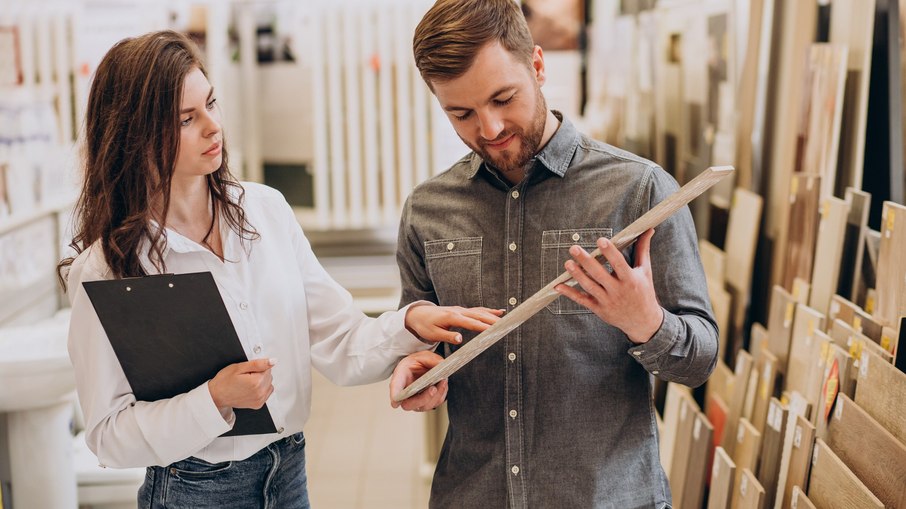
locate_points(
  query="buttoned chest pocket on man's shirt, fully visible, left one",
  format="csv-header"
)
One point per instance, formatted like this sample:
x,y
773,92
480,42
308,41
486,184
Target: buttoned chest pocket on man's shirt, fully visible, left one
x,y
454,266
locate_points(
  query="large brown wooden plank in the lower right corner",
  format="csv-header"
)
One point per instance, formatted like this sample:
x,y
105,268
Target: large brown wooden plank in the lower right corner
x,y
872,453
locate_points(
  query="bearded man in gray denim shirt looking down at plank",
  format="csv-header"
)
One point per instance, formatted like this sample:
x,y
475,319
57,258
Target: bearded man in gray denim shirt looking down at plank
x,y
558,413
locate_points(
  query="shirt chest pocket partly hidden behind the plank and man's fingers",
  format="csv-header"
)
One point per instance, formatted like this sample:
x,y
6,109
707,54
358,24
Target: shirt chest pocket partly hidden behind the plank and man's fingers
x,y
555,246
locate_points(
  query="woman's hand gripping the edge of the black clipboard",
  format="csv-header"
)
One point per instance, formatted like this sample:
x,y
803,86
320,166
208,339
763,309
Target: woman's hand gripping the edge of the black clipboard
x,y
243,385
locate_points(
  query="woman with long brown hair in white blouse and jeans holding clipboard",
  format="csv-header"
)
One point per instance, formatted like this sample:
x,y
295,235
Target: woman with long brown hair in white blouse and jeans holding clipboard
x,y
158,197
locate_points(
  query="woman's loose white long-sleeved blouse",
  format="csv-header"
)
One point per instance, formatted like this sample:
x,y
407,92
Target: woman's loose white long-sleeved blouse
x,y
283,306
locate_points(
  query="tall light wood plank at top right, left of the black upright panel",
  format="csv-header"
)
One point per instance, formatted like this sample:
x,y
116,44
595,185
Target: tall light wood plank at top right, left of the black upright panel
x,y
852,25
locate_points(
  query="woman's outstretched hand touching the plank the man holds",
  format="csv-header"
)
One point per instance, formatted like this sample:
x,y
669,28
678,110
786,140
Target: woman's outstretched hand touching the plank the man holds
x,y
432,323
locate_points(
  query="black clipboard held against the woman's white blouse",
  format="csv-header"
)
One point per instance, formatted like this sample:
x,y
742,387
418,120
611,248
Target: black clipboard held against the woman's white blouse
x,y
172,333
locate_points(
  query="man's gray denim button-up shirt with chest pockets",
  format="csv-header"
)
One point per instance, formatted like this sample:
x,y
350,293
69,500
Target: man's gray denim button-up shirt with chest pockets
x,y
559,413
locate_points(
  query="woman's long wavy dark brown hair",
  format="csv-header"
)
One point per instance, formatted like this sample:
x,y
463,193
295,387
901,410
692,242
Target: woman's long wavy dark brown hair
x,y
131,140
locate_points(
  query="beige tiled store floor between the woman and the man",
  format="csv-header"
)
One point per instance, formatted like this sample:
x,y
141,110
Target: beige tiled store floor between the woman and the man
x,y
360,453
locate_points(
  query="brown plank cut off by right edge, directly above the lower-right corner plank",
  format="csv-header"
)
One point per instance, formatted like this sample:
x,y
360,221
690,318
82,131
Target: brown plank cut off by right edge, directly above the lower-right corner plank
x,y
881,392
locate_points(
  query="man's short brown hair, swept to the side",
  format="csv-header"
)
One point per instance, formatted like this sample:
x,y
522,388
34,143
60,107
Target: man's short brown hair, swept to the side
x,y
453,31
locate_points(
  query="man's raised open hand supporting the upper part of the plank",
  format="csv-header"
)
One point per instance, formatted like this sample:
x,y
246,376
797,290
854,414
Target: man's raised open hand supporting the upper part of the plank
x,y
625,298
